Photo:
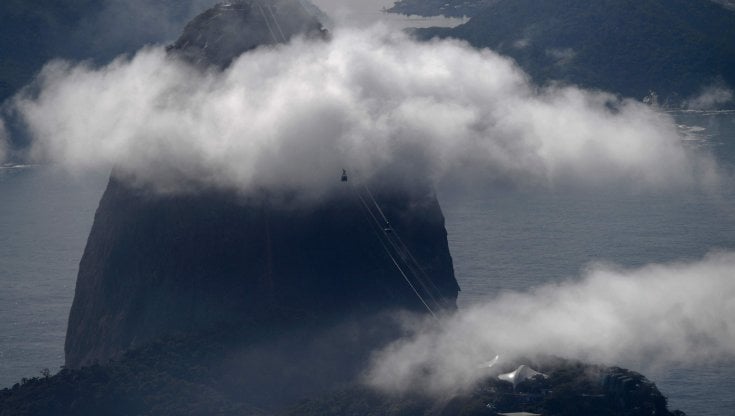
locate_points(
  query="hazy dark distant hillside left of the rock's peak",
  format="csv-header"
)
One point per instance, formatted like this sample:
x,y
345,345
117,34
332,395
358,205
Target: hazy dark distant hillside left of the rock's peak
x,y
33,32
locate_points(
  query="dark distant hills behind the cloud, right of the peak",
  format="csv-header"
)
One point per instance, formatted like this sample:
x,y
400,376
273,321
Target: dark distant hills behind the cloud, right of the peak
x,y
672,47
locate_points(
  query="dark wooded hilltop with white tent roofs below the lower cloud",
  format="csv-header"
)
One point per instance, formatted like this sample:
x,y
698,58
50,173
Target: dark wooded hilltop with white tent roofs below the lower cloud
x,y
571,389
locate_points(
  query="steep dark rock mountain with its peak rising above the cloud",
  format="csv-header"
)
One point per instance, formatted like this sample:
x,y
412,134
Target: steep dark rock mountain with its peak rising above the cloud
x,y
158,265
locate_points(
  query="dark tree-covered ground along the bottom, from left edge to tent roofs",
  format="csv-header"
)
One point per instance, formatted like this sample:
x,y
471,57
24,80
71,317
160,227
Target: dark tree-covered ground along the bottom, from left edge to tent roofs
x,y
197,376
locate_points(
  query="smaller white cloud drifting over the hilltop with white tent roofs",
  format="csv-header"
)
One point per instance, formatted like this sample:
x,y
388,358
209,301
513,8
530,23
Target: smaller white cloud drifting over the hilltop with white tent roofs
x,y
657,315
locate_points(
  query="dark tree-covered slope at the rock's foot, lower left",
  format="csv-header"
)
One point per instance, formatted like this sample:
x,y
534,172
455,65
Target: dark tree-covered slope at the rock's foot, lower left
x,y
172,377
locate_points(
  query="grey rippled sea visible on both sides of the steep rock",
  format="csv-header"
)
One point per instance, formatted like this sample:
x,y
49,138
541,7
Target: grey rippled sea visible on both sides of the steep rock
x,y
509,240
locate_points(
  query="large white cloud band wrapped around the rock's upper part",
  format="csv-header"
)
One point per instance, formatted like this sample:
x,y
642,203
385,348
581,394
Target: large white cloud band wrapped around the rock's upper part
x,y
291,117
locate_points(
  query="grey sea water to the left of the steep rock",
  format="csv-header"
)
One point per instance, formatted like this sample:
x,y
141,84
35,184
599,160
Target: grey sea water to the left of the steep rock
x,y
45,218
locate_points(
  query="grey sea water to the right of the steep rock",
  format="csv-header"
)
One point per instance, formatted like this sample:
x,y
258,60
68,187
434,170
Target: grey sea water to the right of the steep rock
x,y
514,240
